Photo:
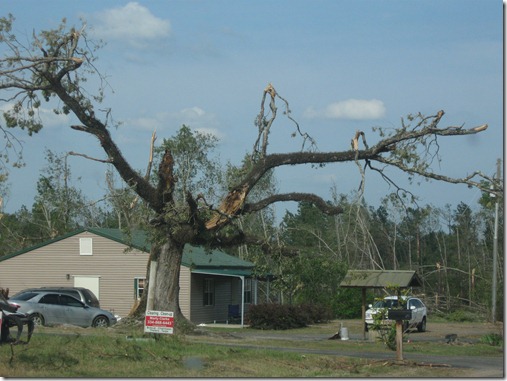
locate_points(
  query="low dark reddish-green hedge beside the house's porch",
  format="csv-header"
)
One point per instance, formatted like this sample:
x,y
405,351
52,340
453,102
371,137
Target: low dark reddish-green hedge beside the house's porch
x,y
283,316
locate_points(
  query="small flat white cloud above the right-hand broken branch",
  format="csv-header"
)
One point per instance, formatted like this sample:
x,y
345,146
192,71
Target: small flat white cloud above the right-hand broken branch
x,y
358,109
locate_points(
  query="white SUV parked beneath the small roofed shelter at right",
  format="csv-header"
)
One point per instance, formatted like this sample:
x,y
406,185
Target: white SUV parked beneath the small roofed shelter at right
x,y
419,312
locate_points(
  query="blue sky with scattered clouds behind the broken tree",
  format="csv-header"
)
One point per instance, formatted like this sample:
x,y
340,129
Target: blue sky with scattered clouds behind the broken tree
x,y
342,65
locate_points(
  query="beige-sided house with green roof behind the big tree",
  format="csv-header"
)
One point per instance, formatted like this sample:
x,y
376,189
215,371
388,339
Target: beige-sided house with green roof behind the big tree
x,y
113,265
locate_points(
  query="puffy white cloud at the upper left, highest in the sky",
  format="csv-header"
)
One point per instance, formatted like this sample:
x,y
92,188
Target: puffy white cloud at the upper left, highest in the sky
x,y
132,23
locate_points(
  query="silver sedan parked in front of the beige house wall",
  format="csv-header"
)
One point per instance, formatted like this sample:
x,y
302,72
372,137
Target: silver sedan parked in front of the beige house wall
x,y
47,308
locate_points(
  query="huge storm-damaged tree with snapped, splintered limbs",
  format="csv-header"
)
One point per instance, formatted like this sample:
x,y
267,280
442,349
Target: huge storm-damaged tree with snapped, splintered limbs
x,y
54,66
